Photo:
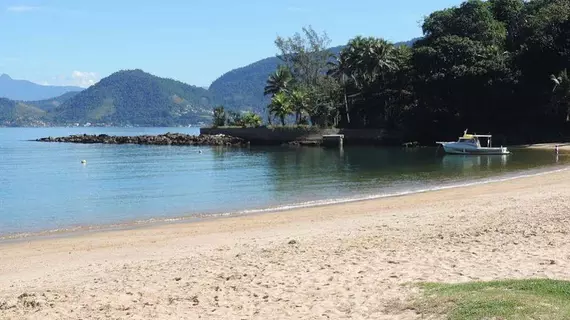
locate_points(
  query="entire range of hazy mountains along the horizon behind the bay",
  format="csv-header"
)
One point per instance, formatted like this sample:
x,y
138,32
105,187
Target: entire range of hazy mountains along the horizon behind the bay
x,y
133,97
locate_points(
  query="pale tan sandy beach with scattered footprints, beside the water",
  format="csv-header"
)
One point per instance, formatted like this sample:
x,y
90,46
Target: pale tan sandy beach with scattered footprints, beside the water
x,y
347,261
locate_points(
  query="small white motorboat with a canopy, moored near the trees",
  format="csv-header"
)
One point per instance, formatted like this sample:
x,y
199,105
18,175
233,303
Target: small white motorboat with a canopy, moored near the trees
x,y
470,144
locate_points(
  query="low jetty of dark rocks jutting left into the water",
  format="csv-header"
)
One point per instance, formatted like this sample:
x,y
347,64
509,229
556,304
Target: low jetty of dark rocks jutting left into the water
x,y
176,139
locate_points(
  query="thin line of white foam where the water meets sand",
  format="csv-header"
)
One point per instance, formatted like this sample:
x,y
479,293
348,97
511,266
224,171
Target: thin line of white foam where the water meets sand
x,y
325,202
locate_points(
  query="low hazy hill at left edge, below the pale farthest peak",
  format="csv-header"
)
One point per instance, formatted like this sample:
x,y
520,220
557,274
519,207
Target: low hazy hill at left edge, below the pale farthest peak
x,y
16,114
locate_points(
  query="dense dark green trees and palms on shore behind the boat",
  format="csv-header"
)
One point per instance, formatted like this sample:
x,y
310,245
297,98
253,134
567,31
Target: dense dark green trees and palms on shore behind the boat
x,y
490,66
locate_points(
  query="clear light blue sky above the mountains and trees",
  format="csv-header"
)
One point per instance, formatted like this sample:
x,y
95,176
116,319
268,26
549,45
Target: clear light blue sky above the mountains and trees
x,y
77,42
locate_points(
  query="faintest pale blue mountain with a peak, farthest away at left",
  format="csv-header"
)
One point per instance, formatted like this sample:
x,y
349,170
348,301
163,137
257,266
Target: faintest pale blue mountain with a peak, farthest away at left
x,y
26,90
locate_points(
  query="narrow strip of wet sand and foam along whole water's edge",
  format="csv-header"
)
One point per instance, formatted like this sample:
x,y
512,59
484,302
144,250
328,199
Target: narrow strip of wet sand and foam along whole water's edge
x,y
80,230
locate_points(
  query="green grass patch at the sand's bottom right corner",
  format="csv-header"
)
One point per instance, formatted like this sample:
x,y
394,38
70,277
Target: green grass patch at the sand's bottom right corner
x,y
512,299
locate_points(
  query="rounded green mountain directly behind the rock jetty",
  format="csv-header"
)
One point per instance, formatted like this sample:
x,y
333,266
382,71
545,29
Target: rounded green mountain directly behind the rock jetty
x,y
134,97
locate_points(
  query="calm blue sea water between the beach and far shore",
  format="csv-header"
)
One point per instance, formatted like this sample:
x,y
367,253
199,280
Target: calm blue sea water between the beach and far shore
x,y
44,186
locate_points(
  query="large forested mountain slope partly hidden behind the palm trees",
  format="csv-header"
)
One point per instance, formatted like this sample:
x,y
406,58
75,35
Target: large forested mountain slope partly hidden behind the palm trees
x,y
242,89
